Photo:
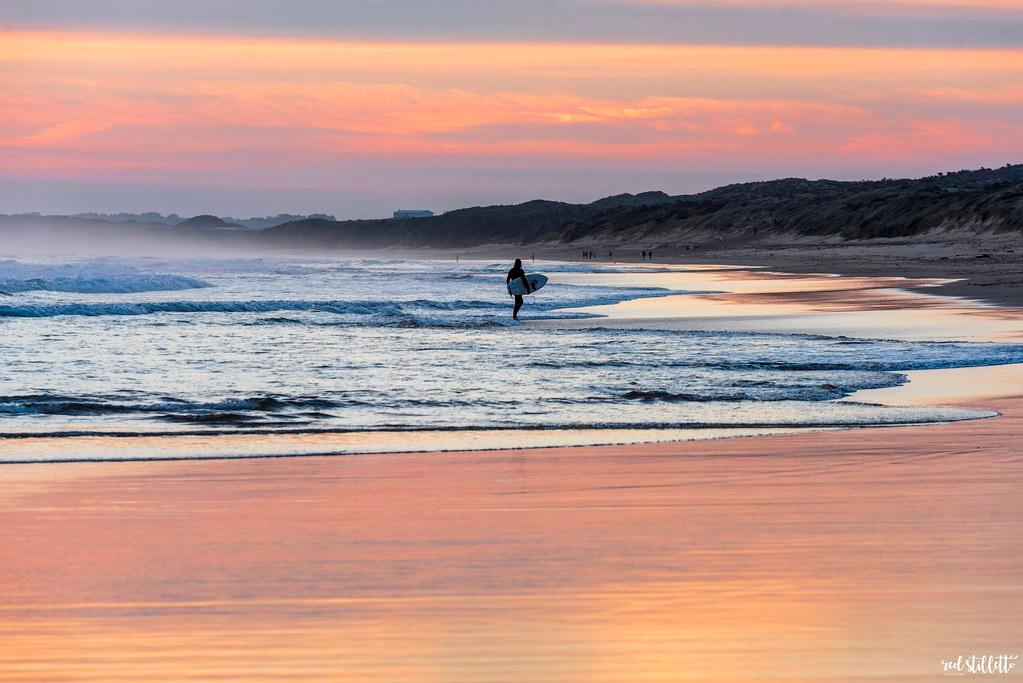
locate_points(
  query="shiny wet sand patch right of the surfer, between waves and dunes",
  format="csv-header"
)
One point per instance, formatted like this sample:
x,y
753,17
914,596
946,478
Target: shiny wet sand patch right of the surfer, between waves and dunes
x,y
742,300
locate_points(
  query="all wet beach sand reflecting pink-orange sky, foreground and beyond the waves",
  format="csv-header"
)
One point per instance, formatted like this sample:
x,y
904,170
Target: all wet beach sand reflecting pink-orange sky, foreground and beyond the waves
x,y
829,555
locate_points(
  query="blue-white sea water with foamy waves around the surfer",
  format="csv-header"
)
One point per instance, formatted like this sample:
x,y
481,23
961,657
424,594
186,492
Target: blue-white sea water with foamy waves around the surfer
x,y
266,346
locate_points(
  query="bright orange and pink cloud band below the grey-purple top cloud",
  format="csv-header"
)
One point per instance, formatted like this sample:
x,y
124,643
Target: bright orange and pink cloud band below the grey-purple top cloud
x,y
79,104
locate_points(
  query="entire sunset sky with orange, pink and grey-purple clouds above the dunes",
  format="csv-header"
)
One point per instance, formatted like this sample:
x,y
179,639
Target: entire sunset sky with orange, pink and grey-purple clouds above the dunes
x,y
360,108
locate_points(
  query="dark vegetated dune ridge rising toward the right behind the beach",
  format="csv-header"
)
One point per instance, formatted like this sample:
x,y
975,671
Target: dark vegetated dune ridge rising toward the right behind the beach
x,y
975,202
